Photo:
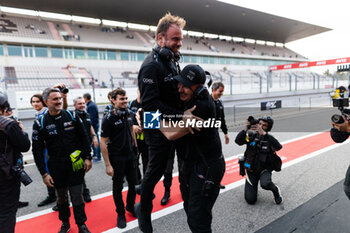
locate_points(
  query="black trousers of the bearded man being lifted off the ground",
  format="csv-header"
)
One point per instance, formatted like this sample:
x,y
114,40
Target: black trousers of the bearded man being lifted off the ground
x,y
158,152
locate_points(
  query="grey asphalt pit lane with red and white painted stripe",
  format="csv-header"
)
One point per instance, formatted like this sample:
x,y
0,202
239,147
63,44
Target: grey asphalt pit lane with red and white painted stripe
x,y
310,181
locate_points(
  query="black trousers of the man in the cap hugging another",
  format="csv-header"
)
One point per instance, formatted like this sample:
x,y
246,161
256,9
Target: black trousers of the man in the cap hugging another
x,y
198,195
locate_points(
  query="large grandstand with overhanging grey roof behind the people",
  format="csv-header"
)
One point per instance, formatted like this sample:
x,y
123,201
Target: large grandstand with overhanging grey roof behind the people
x,y
37,51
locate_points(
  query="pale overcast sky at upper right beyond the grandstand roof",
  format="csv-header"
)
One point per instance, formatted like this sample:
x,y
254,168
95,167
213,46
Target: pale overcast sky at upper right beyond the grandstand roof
x,y
333,14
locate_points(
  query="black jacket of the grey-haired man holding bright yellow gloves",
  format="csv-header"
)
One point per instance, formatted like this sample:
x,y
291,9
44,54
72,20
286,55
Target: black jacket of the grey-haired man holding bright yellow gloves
x,y
61,135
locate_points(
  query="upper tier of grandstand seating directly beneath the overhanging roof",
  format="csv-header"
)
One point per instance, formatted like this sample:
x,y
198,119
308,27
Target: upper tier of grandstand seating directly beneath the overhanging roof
x,y
36,27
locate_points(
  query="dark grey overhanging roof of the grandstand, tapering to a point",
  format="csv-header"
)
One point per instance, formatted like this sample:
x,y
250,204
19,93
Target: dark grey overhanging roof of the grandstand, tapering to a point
x,y
208,16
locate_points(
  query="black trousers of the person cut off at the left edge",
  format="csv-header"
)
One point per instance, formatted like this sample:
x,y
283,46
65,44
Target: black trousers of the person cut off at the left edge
x,y
9,197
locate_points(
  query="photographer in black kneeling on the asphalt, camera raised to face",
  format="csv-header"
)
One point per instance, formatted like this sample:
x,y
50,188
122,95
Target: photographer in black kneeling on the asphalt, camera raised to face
x,y
259,158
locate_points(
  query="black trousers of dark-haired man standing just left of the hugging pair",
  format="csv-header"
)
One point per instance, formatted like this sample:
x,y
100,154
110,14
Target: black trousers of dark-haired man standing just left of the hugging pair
x,y
124,168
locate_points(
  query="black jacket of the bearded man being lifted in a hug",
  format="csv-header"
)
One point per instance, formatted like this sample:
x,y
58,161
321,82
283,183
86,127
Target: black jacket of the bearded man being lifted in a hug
x,y
157,87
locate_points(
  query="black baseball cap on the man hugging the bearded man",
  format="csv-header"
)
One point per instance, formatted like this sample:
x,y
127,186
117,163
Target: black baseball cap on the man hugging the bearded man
x,y
191,75
